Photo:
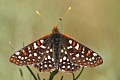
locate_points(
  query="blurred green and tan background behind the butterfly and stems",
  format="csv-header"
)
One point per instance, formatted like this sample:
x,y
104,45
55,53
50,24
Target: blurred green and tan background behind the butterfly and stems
x,y
94,23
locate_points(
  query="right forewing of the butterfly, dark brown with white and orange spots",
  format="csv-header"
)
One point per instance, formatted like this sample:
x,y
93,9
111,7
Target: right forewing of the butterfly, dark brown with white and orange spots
x,y
80,54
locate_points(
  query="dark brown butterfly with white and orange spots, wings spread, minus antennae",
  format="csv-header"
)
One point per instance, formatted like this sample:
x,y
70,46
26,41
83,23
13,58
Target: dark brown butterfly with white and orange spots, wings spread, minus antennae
x,y
56,51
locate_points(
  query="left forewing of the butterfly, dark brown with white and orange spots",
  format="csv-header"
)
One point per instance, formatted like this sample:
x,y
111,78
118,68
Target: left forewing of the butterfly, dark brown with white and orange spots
x,y
32,53
